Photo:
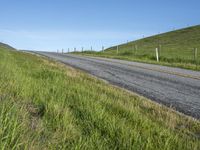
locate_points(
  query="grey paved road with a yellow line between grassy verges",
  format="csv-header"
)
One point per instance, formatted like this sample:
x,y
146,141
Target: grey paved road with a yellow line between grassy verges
x,y
173,87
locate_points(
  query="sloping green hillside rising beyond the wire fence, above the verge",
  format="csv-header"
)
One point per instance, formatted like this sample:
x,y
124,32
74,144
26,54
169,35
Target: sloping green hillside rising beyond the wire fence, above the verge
x,y
175,40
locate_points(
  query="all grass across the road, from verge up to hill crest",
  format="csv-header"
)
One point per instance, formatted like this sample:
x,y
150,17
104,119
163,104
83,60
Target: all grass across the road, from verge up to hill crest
x,y
176,48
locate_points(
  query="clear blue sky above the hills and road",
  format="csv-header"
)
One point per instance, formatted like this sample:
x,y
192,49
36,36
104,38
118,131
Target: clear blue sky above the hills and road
x,y
56,24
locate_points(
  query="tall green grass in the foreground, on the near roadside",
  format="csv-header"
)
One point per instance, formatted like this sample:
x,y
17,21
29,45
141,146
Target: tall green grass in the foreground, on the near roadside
x,y
47,105
